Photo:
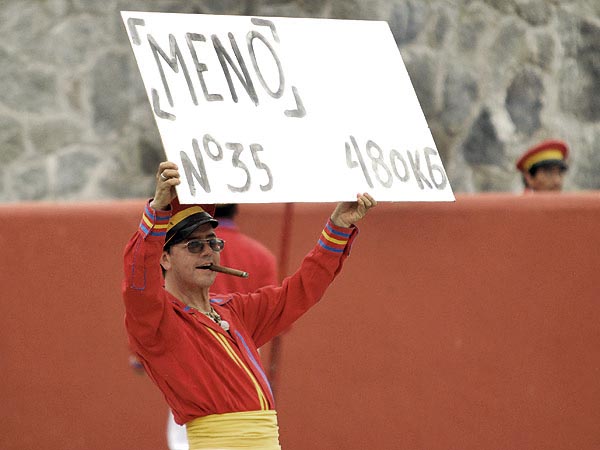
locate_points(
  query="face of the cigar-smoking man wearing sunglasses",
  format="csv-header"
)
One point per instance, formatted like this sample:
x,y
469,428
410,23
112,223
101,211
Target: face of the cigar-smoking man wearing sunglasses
x,y
185,268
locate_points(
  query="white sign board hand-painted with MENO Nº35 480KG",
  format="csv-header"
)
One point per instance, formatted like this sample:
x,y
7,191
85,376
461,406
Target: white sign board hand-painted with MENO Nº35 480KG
x,y
259,110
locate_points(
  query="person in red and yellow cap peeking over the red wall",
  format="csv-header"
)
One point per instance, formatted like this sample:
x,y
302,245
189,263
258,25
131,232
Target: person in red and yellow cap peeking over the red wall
x,y
543,166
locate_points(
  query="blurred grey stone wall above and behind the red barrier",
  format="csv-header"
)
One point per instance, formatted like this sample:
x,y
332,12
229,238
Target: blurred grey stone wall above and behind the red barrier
x,y
492,76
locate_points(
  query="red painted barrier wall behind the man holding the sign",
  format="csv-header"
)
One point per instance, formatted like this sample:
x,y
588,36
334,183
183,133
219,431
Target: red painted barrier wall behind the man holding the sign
x,y
471,325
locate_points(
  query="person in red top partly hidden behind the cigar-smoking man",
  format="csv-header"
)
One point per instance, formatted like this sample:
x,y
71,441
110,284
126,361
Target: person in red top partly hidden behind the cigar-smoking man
x,y
242,252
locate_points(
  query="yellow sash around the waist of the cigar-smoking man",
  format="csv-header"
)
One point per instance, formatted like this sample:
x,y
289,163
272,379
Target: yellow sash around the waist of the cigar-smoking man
x,y
248,430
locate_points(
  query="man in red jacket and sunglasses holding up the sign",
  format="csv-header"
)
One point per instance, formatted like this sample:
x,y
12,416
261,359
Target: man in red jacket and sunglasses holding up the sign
x,y
200,349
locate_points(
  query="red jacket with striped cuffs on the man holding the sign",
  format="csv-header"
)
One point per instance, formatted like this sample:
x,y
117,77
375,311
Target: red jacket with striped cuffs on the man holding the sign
x,y
200,368
